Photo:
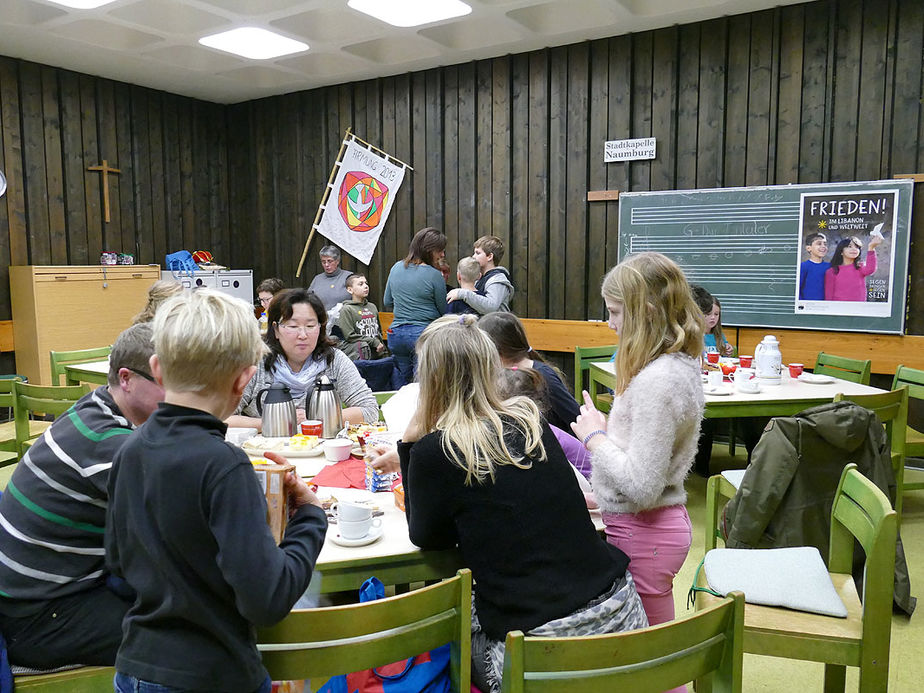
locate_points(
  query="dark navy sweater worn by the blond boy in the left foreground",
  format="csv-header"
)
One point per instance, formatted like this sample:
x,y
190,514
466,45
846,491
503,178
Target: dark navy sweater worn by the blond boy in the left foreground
x,y
186,527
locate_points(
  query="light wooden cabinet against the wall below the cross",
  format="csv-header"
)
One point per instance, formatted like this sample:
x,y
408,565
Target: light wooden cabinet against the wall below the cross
x,y
58,308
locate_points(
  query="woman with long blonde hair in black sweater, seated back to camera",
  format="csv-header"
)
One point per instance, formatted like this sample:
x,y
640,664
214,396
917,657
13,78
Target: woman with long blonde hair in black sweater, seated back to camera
x,y
486,474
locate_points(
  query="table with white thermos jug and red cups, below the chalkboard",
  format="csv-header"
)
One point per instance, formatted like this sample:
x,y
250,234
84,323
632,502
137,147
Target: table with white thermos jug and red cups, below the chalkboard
x,y
786,399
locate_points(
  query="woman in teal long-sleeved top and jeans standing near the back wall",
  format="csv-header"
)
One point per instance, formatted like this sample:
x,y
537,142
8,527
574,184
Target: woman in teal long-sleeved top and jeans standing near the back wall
x,y
416,291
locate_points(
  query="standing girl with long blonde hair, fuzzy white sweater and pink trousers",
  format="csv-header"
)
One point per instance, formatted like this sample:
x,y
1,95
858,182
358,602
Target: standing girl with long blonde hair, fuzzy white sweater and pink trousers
x,y
643,452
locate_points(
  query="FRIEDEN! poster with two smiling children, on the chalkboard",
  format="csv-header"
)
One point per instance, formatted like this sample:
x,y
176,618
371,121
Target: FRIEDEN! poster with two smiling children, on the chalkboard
x,y
846,257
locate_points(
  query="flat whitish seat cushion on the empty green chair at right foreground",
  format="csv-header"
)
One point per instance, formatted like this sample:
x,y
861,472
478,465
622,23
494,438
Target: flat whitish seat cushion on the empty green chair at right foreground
x,y
794,578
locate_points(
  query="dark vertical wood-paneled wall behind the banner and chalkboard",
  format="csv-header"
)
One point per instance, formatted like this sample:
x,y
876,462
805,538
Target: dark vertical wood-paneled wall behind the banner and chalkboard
x,y
825,91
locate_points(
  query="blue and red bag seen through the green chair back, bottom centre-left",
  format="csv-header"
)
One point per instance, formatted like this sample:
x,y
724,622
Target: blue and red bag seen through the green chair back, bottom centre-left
x,y
425,673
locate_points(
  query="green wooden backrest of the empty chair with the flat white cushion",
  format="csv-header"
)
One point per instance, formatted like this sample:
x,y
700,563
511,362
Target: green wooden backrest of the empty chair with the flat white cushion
x,y
862,512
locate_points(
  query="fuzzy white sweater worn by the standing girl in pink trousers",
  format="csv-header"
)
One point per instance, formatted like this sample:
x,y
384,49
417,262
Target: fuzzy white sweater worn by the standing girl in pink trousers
x,y
651,438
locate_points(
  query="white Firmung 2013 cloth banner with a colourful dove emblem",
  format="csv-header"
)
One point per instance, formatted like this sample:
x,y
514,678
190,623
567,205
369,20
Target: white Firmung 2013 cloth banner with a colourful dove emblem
x,y
360,200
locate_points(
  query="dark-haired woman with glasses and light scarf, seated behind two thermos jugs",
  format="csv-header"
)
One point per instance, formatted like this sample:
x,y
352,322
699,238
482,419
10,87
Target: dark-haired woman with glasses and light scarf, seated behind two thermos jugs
x,y
300,351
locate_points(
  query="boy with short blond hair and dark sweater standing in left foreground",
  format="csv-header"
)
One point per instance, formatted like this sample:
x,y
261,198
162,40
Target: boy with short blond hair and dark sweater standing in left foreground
x,y
186,524
